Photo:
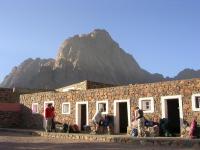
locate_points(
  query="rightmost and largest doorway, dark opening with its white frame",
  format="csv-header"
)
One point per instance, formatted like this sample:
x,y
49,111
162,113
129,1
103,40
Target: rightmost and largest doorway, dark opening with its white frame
x,y
173,111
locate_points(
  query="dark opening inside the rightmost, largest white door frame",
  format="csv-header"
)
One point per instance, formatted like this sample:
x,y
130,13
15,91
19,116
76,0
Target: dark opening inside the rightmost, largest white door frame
x,y
173,116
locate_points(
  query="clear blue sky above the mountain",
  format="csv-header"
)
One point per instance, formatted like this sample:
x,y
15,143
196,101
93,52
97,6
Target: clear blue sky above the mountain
x,y
162,35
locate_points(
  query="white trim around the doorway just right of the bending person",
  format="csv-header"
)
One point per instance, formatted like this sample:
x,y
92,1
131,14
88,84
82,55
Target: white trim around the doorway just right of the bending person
x,y
116,116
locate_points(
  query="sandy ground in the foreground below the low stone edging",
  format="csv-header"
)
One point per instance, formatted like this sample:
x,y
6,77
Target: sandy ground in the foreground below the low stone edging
x,y
20,141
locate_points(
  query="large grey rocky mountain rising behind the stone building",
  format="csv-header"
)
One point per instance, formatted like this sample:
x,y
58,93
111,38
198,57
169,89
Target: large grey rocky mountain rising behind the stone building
x,y
94,56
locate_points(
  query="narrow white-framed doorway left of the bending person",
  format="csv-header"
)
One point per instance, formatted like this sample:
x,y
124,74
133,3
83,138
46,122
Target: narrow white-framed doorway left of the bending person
x,y
81,114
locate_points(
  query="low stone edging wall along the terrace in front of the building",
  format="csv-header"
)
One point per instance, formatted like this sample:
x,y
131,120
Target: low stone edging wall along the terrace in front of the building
x,y
148,141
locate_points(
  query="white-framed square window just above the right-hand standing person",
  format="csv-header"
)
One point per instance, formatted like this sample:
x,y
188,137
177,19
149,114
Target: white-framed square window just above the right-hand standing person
x,y
146,104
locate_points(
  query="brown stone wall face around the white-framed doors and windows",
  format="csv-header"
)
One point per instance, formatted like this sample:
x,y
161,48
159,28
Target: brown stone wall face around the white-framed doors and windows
x,y
185,88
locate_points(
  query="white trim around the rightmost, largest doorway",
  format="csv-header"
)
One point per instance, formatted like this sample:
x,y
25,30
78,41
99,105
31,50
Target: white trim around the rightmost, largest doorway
x,y
164,106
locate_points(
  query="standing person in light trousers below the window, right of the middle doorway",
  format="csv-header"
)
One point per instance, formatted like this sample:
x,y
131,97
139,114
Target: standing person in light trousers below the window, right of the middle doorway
x,y
140,119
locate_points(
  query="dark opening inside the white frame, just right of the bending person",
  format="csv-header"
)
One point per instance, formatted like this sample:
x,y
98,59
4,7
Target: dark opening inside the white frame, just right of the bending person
x,y
123,117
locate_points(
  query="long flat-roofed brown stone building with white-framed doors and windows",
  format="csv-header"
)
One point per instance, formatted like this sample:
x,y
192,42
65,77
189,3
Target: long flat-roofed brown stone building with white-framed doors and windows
x,y
178,101
